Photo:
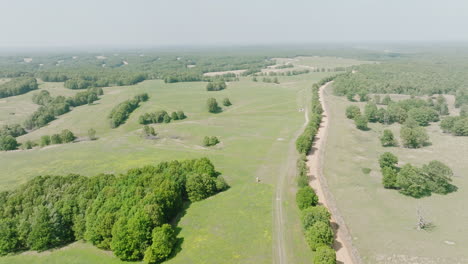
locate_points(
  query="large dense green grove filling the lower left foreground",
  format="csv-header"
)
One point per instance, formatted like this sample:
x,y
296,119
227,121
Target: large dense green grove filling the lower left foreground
x,y
128,214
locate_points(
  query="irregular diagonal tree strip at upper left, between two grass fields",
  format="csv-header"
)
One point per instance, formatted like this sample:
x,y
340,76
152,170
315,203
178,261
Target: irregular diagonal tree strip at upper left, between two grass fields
x,y
51,107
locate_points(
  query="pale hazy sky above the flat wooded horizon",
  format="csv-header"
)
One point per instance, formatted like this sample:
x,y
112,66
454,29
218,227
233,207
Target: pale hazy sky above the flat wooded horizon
x,y
193,22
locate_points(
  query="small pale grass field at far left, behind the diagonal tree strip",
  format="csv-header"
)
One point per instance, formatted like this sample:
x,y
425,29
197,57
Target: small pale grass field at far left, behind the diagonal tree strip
x,y
15,109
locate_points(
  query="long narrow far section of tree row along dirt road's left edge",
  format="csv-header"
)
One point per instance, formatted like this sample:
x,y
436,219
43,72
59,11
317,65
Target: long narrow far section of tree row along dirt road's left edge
x,y
305,140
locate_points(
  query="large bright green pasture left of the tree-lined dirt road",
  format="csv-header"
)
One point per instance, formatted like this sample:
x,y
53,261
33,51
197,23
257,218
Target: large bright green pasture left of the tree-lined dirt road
x,y
235,226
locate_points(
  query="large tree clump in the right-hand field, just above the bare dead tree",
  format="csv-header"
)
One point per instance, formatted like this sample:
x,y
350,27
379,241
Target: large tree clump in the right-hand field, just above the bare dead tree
x,y
434,177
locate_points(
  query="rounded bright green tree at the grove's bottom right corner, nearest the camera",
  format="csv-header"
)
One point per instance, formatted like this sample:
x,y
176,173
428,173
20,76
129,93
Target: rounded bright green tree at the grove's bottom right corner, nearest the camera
x,y
163,242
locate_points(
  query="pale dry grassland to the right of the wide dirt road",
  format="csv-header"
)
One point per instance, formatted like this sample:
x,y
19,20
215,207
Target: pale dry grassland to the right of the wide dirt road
x,y
383,222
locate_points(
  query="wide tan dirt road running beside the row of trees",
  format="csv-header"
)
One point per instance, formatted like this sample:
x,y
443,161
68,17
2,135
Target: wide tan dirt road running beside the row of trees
x,y
344,250
